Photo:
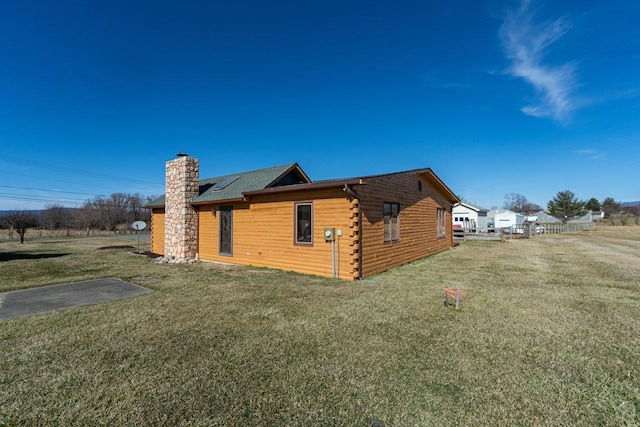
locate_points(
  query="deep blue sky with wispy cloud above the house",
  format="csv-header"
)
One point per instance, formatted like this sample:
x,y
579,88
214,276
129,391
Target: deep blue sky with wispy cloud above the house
x,y
497,97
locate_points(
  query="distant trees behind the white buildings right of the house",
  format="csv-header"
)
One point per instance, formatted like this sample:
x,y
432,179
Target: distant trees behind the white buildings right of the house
x,y
566,206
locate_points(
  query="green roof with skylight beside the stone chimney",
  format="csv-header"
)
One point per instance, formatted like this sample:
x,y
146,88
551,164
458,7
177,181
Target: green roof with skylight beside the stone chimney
x,y
232,186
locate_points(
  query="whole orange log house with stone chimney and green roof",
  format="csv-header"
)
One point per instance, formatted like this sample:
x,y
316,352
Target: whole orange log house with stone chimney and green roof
x,y
278,218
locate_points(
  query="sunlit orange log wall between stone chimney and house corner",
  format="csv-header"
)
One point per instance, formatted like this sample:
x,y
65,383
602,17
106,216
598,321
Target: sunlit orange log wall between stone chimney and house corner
x,y
263,233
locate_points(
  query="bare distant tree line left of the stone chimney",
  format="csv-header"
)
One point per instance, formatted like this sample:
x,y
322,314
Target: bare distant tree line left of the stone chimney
x,y
115,213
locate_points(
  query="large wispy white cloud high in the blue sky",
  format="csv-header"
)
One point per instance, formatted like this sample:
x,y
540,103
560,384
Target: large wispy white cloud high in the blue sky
x,y
524,42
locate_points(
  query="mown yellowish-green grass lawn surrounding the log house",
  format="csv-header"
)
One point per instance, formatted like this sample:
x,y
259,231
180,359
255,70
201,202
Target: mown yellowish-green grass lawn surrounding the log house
x,y
547,334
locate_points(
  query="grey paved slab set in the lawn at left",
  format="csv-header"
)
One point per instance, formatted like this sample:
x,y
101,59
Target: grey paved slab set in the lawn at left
x,y
27,302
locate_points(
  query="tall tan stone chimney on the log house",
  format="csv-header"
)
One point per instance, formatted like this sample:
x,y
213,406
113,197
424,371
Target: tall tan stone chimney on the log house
x,y
181,220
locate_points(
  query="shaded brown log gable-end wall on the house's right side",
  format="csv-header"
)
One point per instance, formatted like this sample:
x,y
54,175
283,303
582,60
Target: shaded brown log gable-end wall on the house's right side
x,y
418,221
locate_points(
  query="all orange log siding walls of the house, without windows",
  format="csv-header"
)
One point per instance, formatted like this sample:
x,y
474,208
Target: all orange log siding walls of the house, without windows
x,y
263,228
